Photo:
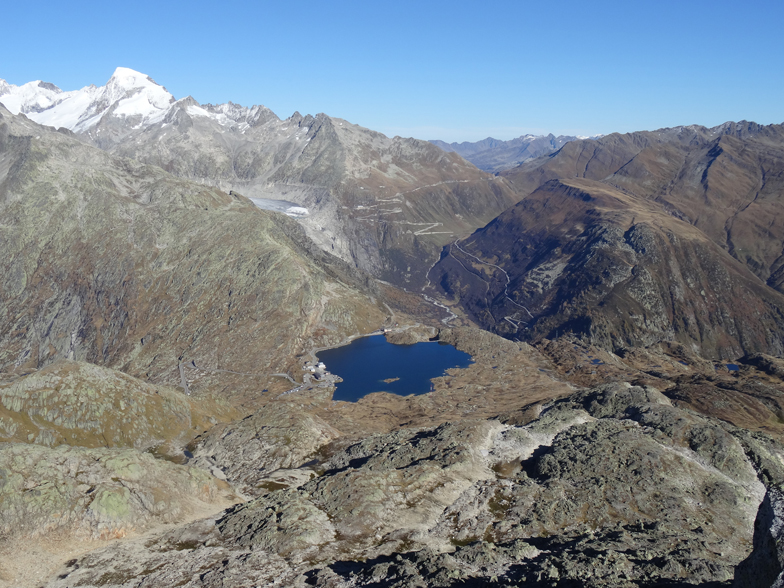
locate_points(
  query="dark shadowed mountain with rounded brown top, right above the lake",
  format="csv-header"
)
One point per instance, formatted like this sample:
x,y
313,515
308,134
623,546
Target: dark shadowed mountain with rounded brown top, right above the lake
x,y
579,256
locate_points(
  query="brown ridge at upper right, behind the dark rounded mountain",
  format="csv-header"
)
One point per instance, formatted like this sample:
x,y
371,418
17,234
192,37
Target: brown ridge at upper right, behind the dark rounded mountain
x,y
726,181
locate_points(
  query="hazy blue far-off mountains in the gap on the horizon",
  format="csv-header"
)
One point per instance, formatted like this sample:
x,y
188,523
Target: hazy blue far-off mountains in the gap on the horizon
x,y
493,155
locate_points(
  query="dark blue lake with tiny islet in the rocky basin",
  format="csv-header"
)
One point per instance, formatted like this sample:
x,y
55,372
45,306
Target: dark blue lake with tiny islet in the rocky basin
x,y
365,363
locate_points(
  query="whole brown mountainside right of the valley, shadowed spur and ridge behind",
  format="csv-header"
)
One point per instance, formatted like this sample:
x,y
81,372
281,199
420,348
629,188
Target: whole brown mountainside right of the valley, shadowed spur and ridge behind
x,y
631,239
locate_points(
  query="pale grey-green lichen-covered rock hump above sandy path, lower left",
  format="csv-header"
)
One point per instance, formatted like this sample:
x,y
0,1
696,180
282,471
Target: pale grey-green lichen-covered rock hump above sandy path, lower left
x,y
97,493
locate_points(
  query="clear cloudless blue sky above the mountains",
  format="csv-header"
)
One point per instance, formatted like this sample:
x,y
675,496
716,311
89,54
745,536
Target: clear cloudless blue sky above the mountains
x,y
457,71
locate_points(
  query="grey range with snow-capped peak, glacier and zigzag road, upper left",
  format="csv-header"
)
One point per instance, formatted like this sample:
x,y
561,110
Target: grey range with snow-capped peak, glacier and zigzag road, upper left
x,y
386,205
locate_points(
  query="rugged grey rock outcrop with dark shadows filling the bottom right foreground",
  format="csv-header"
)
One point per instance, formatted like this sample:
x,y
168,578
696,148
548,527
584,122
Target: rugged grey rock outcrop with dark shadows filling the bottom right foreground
x,y
611,486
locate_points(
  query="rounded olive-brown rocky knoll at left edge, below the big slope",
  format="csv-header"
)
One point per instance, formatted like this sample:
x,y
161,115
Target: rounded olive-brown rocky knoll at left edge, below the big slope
x,y
82,404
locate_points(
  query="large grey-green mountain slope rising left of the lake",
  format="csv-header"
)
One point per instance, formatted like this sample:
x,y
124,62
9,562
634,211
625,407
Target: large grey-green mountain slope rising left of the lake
x,y
120,264
